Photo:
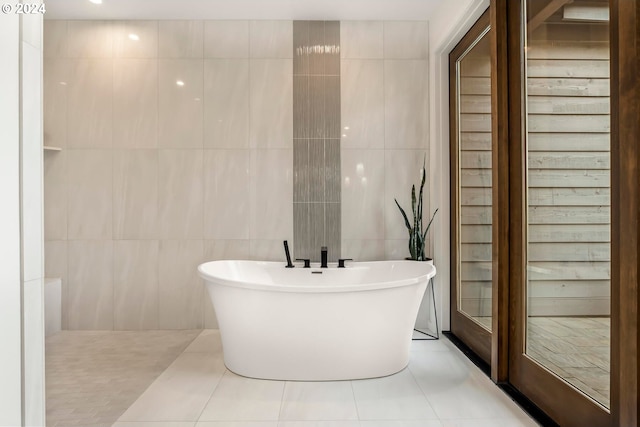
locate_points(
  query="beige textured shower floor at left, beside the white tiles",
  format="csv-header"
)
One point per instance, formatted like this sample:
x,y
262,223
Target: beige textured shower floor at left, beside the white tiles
x,y
93,377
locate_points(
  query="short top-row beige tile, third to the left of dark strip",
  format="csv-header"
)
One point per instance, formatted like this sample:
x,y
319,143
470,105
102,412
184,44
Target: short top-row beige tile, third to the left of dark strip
x,y
180,39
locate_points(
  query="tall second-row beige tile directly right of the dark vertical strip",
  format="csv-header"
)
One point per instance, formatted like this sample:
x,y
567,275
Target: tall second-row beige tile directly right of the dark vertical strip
x,y
362,98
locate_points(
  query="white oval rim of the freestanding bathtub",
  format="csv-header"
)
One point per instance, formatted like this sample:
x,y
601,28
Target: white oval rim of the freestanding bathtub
x,y
273,287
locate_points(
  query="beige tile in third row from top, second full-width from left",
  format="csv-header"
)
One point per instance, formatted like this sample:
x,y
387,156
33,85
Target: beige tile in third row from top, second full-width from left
x,y
135,194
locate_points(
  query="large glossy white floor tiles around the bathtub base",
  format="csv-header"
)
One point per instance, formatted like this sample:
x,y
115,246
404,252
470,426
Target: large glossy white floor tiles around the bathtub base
x,y
440,388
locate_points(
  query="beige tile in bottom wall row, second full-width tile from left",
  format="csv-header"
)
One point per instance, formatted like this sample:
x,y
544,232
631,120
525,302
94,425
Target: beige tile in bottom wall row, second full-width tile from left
x,y
135,284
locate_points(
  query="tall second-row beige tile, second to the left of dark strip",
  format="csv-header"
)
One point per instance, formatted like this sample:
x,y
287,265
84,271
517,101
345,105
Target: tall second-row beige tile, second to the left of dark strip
x,y
226,96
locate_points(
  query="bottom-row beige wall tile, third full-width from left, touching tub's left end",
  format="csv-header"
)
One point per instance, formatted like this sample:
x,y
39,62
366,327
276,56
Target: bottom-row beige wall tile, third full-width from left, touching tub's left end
x,y
180,288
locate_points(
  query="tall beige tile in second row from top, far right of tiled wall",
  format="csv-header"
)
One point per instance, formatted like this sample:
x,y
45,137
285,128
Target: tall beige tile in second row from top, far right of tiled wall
x,y
406,103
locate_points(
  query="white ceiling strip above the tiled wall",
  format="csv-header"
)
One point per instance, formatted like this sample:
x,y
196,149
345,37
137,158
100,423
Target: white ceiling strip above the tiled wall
x,y
343,10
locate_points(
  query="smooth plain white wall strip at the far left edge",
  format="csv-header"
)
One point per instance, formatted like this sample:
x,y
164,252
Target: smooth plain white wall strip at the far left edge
x,y
10,313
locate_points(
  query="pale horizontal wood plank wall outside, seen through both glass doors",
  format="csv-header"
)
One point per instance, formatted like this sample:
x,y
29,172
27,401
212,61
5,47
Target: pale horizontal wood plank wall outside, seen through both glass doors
x,y
568,174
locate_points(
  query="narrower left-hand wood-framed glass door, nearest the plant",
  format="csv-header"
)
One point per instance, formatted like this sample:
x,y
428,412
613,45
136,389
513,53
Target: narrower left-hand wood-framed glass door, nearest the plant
x,y
471,189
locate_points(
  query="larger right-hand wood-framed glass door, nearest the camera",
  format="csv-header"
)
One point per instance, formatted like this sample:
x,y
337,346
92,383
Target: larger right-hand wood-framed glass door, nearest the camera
x,y
560,351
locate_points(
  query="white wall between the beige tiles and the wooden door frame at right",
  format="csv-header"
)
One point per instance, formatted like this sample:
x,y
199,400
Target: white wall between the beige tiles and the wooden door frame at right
x,y
448,25
